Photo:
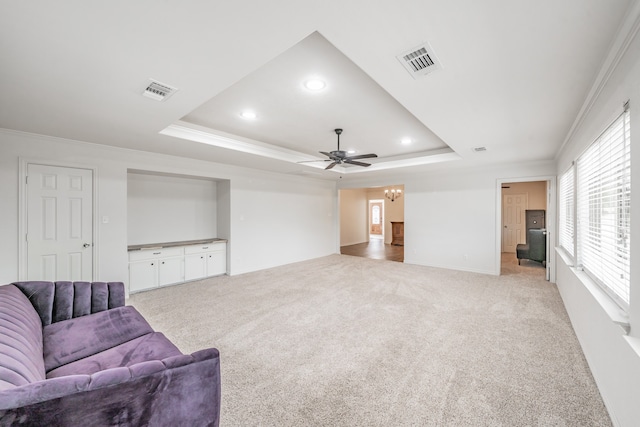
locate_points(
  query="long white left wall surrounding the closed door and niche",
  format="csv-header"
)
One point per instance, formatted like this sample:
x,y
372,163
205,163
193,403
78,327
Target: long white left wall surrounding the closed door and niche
x,y
272,218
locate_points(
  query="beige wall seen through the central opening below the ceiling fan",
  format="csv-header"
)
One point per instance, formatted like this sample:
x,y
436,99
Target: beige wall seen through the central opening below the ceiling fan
x,y
353,217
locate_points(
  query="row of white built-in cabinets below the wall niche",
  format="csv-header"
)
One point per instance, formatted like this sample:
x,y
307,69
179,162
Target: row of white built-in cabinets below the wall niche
x,y
154,267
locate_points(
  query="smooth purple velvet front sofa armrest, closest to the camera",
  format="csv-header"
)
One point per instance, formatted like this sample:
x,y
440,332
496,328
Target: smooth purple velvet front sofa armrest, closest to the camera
x,y
179,390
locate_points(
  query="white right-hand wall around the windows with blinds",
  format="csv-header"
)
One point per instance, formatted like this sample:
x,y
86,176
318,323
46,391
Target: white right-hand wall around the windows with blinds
x,y
613,357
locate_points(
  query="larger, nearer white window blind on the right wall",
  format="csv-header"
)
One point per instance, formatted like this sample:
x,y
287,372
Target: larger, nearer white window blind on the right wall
x,y
603,210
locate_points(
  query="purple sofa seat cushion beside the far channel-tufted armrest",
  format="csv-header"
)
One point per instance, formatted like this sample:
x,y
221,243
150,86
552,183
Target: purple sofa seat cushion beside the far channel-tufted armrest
x,y
80,337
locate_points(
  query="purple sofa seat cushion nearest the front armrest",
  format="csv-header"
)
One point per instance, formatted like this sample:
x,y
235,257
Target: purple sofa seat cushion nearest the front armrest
x,y
154,346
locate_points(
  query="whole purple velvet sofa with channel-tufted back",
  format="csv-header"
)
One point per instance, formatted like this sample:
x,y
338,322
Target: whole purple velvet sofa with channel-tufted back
x,y
72,354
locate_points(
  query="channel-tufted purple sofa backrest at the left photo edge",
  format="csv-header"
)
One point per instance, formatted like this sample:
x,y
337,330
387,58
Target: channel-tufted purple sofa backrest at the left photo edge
x,y
20,340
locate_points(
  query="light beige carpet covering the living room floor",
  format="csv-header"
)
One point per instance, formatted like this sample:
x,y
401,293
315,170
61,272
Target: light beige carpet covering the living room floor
x,y
347,341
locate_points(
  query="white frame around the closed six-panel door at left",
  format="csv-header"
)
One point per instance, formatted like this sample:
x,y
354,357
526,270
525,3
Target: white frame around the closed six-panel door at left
x,y
23,165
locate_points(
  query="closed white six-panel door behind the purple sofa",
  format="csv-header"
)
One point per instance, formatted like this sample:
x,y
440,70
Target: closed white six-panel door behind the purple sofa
x,y
59,223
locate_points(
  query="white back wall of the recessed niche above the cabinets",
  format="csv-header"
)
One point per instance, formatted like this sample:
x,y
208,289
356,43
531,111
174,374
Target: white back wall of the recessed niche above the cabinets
x,y
164,208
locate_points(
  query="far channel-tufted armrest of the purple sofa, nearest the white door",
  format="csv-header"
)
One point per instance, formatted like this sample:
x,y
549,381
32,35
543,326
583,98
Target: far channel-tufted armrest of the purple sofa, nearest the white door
x,y
59,301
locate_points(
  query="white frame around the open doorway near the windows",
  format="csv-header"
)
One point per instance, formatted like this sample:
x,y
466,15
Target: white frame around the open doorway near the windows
x,y
551,219
